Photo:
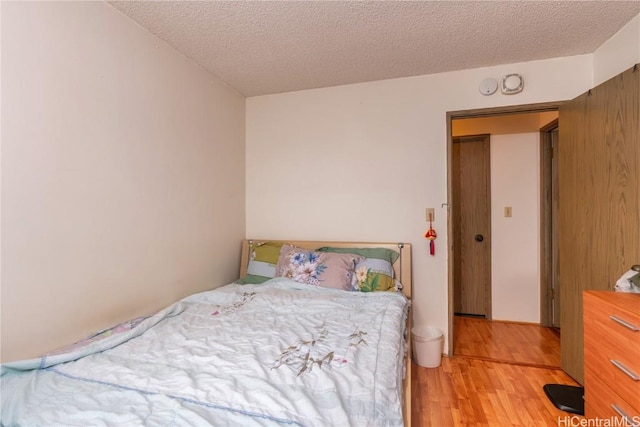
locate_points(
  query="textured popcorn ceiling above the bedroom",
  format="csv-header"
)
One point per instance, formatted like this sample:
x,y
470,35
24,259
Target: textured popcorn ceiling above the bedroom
x,y
262,47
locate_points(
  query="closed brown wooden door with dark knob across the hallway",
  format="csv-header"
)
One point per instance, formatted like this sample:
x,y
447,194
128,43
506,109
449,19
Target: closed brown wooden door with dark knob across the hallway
x,y
471,208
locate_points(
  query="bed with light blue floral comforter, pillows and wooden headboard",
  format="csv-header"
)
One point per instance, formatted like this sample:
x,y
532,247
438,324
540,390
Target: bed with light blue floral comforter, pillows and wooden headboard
x,y
253,352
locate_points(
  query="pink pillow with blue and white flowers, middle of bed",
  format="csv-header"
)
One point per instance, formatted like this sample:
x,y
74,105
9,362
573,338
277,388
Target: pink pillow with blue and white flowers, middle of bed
x,y
328,270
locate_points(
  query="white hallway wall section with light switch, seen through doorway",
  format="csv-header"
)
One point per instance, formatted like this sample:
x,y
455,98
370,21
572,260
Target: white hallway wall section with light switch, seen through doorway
x,y
515,249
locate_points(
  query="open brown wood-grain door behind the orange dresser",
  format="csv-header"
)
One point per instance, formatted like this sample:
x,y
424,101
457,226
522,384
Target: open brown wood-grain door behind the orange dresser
x,y
599,200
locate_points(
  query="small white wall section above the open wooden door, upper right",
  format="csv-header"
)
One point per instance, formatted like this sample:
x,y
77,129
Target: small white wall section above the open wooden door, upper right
x,y
618,53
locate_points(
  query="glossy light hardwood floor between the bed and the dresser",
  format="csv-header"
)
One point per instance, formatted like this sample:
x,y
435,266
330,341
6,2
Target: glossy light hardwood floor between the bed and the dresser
x,y
473,390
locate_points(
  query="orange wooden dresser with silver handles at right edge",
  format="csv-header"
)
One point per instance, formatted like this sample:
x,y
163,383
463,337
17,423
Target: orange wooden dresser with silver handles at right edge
x,y
612,355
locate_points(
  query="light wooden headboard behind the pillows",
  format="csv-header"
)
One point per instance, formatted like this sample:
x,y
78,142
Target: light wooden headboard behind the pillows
x,y
402,266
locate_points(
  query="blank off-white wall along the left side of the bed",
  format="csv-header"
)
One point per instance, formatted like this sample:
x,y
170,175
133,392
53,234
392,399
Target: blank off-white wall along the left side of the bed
x,y
122,174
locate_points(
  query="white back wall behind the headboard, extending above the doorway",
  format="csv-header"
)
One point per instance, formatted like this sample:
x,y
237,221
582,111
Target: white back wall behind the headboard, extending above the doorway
x,y
363,161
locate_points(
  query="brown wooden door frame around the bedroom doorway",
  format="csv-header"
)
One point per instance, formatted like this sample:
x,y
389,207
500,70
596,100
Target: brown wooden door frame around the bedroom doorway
x,y
466,114
